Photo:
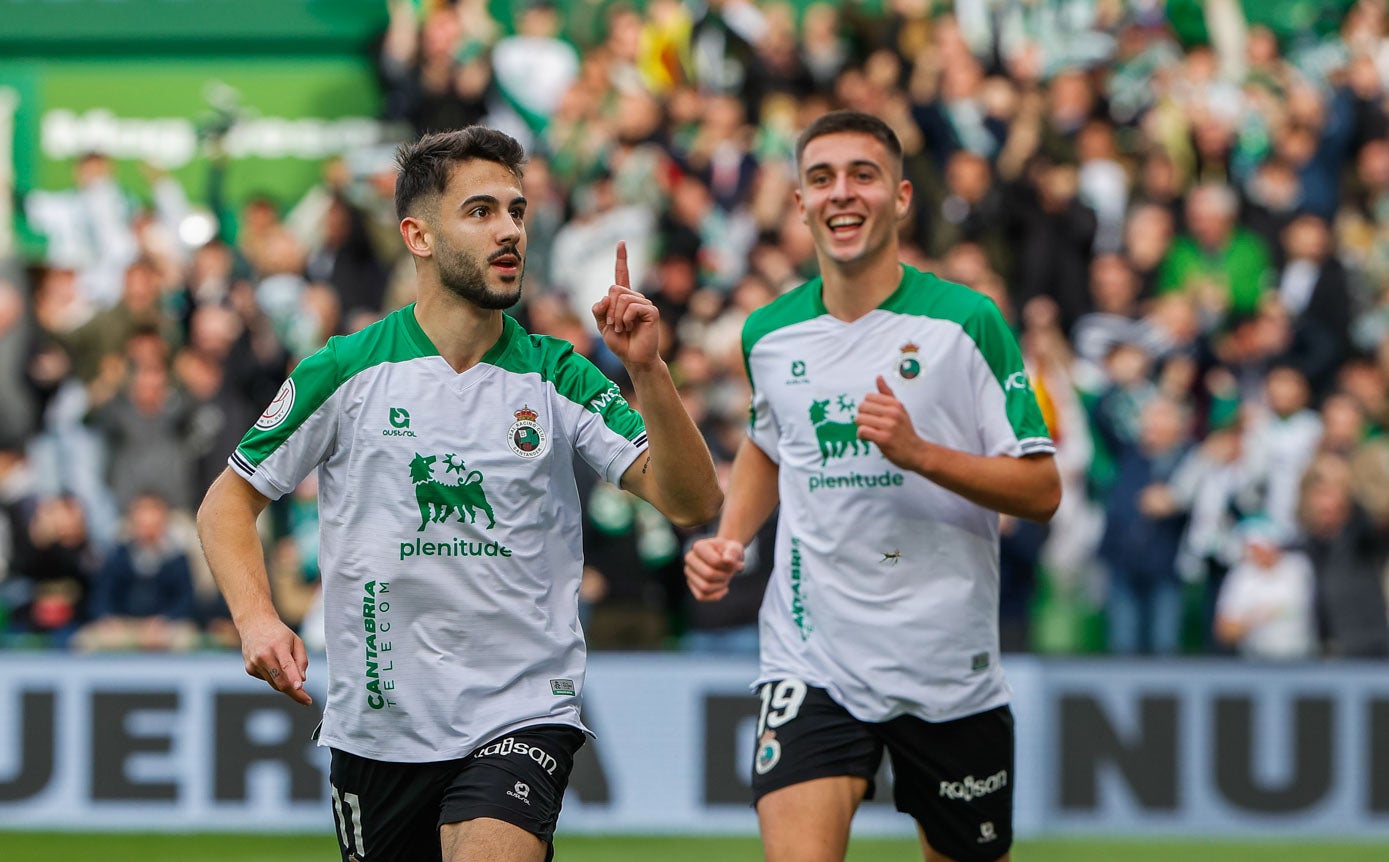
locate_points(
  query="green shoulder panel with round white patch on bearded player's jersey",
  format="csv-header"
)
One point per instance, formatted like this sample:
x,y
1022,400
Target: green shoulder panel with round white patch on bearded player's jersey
x,y
395,339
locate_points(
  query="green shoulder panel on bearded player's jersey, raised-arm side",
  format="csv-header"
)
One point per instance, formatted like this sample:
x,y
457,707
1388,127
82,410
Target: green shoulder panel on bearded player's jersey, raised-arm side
x,y
573,375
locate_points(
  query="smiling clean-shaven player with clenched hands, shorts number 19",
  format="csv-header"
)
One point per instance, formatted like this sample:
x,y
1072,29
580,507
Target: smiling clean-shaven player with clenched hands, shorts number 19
x,y
894,421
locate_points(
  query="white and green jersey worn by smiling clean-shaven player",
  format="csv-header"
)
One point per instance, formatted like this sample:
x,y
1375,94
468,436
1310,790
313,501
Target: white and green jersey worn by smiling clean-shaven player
x,y
885,589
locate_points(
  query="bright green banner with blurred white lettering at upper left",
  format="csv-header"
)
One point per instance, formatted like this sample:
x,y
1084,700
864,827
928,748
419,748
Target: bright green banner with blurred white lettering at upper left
x,y
277,120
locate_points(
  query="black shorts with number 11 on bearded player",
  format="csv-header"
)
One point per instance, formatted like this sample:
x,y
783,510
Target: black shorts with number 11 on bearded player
x,y
392,813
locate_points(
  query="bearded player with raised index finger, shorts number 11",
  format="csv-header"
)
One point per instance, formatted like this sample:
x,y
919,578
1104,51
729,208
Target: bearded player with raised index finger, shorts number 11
x,y
445,439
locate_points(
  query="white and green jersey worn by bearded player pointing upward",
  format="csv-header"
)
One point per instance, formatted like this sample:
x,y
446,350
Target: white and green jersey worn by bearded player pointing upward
x,y
451,530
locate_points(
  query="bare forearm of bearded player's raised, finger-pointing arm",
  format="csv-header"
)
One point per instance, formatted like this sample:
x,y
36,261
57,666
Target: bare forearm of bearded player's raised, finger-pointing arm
x,y
679,457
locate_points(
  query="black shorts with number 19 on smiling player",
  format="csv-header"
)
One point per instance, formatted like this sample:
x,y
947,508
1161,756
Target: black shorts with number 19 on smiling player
x,y
954,778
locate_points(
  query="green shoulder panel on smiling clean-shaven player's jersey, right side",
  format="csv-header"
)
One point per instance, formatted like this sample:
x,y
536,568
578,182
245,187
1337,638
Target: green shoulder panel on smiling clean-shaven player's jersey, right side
x,y
924,294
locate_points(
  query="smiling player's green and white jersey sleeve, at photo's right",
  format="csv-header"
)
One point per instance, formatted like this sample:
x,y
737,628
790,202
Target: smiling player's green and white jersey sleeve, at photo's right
x,y
1009,419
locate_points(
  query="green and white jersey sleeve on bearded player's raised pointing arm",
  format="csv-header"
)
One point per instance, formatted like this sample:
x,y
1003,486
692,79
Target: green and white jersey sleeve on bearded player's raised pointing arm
x,y
609,434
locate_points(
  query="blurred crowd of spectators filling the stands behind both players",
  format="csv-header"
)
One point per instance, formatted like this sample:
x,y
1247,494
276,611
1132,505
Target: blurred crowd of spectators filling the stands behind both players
x,y
1184,213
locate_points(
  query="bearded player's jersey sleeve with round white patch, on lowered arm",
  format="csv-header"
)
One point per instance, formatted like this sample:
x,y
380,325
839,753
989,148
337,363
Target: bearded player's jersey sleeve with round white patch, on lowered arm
x,y
297,432
